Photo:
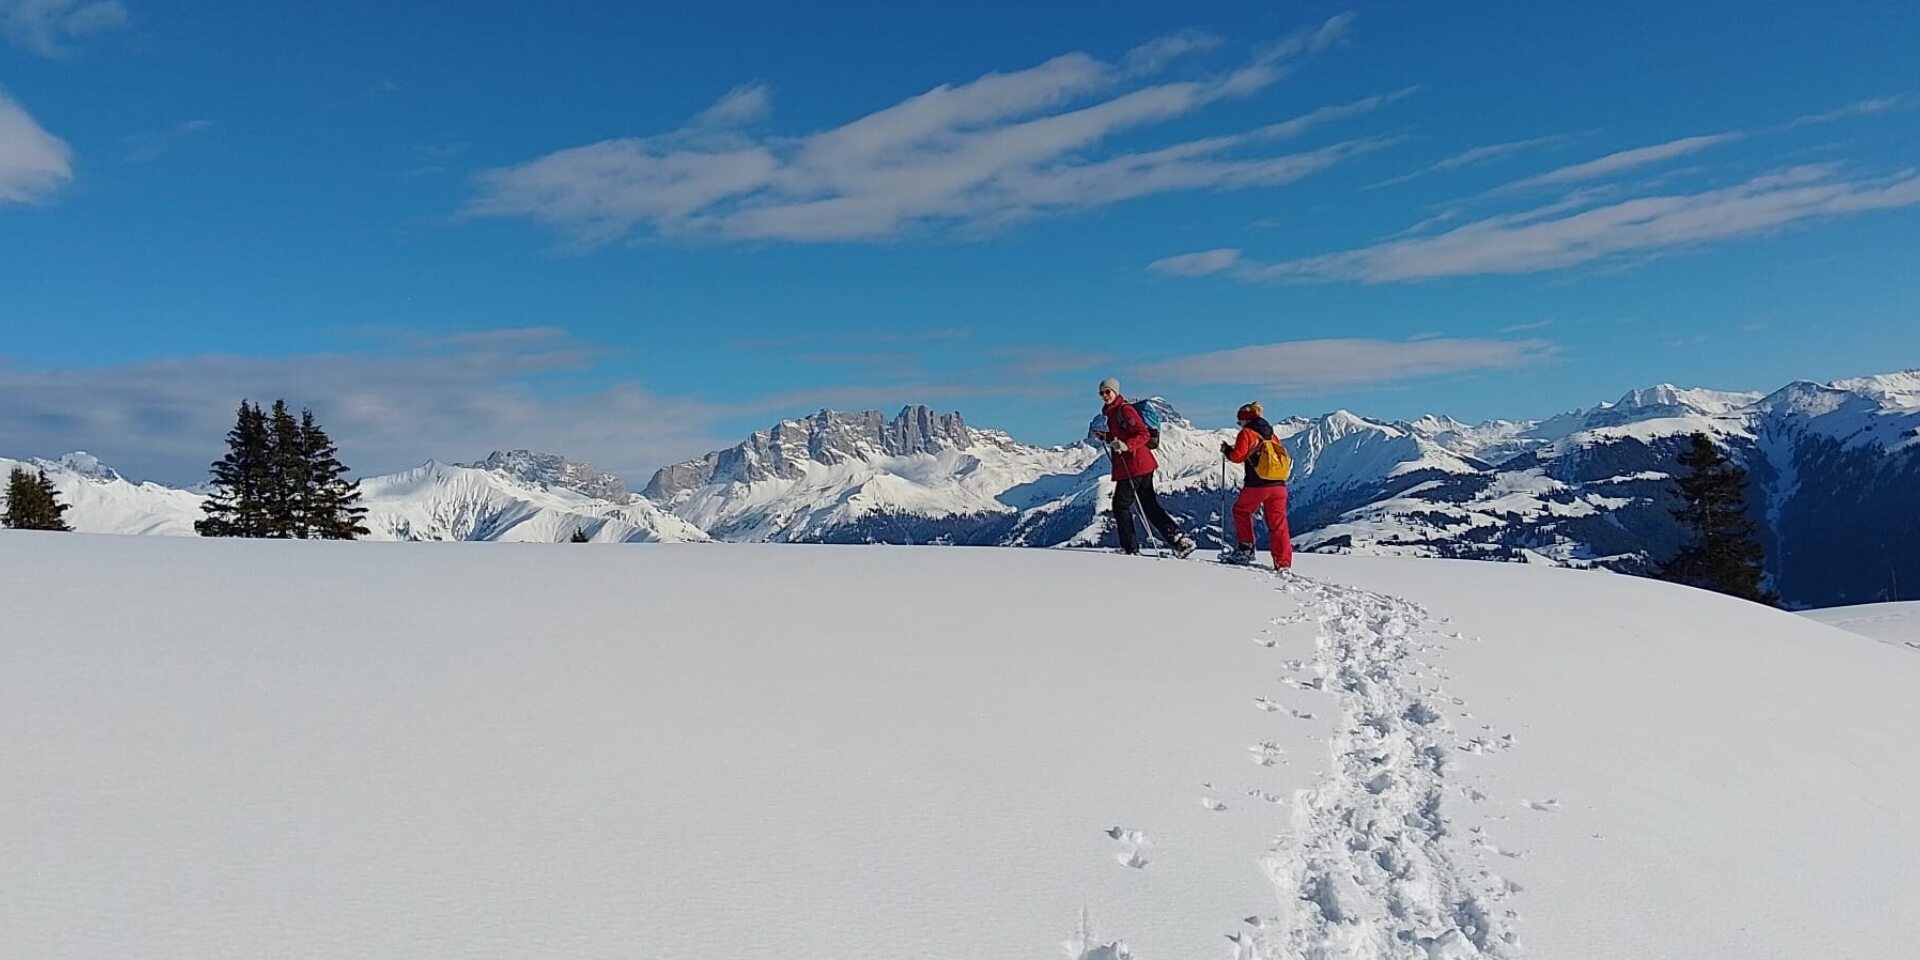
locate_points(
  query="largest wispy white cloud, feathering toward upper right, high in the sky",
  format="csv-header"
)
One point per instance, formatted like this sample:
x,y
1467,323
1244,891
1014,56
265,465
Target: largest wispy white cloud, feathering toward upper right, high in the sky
x,y
978,155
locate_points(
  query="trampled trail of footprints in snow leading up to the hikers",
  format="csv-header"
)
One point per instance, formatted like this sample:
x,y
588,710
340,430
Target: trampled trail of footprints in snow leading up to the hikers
x,y
1372,867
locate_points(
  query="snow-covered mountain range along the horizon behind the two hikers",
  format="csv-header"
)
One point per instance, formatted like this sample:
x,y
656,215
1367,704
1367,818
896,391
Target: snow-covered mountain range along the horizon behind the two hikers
x,y
1835,483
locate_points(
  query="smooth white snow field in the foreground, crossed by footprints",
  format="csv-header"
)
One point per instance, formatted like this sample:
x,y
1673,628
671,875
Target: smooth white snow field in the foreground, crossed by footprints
x,y
237,750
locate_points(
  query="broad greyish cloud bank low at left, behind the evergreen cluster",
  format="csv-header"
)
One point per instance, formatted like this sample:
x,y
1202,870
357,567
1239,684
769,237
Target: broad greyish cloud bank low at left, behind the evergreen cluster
x,y
448,398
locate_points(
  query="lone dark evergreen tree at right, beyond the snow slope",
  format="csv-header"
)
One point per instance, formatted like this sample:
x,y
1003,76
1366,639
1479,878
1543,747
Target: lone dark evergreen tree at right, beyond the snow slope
x,y
1723,552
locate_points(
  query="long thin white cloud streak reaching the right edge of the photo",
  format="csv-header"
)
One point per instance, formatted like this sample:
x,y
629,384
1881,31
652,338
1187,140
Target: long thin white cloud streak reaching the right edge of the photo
x,y
1564,235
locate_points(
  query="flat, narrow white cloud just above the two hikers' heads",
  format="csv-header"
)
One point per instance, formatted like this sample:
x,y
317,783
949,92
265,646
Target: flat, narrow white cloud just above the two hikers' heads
x,y
1308,366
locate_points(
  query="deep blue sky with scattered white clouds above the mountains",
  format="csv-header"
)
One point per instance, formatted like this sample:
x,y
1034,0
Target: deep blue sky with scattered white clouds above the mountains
x,y
631,233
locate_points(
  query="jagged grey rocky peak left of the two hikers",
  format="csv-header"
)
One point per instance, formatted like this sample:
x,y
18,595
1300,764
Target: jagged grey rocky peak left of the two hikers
x,y
828,439
